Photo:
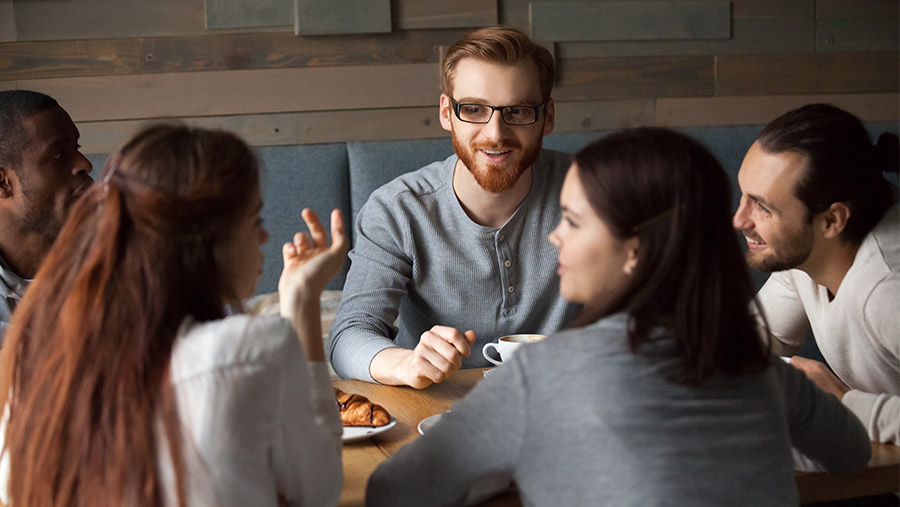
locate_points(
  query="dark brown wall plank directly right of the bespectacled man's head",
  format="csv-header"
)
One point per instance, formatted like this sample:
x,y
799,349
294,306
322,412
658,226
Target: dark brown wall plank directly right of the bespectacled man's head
x,y
651,76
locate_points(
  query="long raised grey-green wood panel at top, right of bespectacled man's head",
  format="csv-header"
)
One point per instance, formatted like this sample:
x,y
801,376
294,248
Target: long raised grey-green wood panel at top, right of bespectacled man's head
x,y
631,20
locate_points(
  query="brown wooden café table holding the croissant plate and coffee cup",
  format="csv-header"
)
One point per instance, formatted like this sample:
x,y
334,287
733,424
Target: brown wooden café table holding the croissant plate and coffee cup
x,y
410,406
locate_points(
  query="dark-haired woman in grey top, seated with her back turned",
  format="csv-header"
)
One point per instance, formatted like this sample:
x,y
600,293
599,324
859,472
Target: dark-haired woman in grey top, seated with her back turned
x,y
664,395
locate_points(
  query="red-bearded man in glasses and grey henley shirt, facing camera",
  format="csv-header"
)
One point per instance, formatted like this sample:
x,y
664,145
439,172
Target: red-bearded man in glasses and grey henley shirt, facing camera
x,y
455,255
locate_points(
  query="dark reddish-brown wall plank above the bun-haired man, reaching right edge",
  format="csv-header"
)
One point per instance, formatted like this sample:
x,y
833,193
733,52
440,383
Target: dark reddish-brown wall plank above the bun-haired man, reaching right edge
x,y
804,73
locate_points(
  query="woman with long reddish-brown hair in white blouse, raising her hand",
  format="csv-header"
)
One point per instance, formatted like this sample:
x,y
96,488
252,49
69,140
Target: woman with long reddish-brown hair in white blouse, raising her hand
x,y
131,378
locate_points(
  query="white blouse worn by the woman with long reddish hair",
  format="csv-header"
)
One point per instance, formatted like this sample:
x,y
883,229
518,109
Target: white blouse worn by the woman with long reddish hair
x,y
259,421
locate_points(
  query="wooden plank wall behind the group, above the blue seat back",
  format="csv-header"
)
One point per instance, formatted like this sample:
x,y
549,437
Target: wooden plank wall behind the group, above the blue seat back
x,y
238,64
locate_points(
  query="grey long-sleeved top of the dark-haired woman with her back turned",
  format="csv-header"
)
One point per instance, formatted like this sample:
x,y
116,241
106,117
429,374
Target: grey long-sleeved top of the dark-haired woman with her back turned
x,y
625,436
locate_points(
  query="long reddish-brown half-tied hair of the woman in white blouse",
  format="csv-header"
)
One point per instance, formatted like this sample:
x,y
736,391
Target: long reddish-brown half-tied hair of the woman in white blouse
x,y
90,343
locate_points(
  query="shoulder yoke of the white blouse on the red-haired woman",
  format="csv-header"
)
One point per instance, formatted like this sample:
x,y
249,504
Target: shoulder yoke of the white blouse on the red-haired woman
x,y
236,340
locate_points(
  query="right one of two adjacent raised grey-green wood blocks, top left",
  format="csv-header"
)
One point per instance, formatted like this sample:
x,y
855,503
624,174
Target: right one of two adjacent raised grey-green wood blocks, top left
x,y
323,17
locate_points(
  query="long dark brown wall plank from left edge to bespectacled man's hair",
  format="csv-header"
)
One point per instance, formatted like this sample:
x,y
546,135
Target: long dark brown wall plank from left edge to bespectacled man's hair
x,y
92,57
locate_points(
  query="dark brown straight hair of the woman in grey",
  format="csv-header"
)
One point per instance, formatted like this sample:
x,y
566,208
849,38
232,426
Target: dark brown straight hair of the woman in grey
x,y
671,192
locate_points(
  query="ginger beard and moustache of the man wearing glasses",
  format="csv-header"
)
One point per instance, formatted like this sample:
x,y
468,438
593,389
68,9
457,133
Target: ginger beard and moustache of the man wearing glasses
x,y
496,178
